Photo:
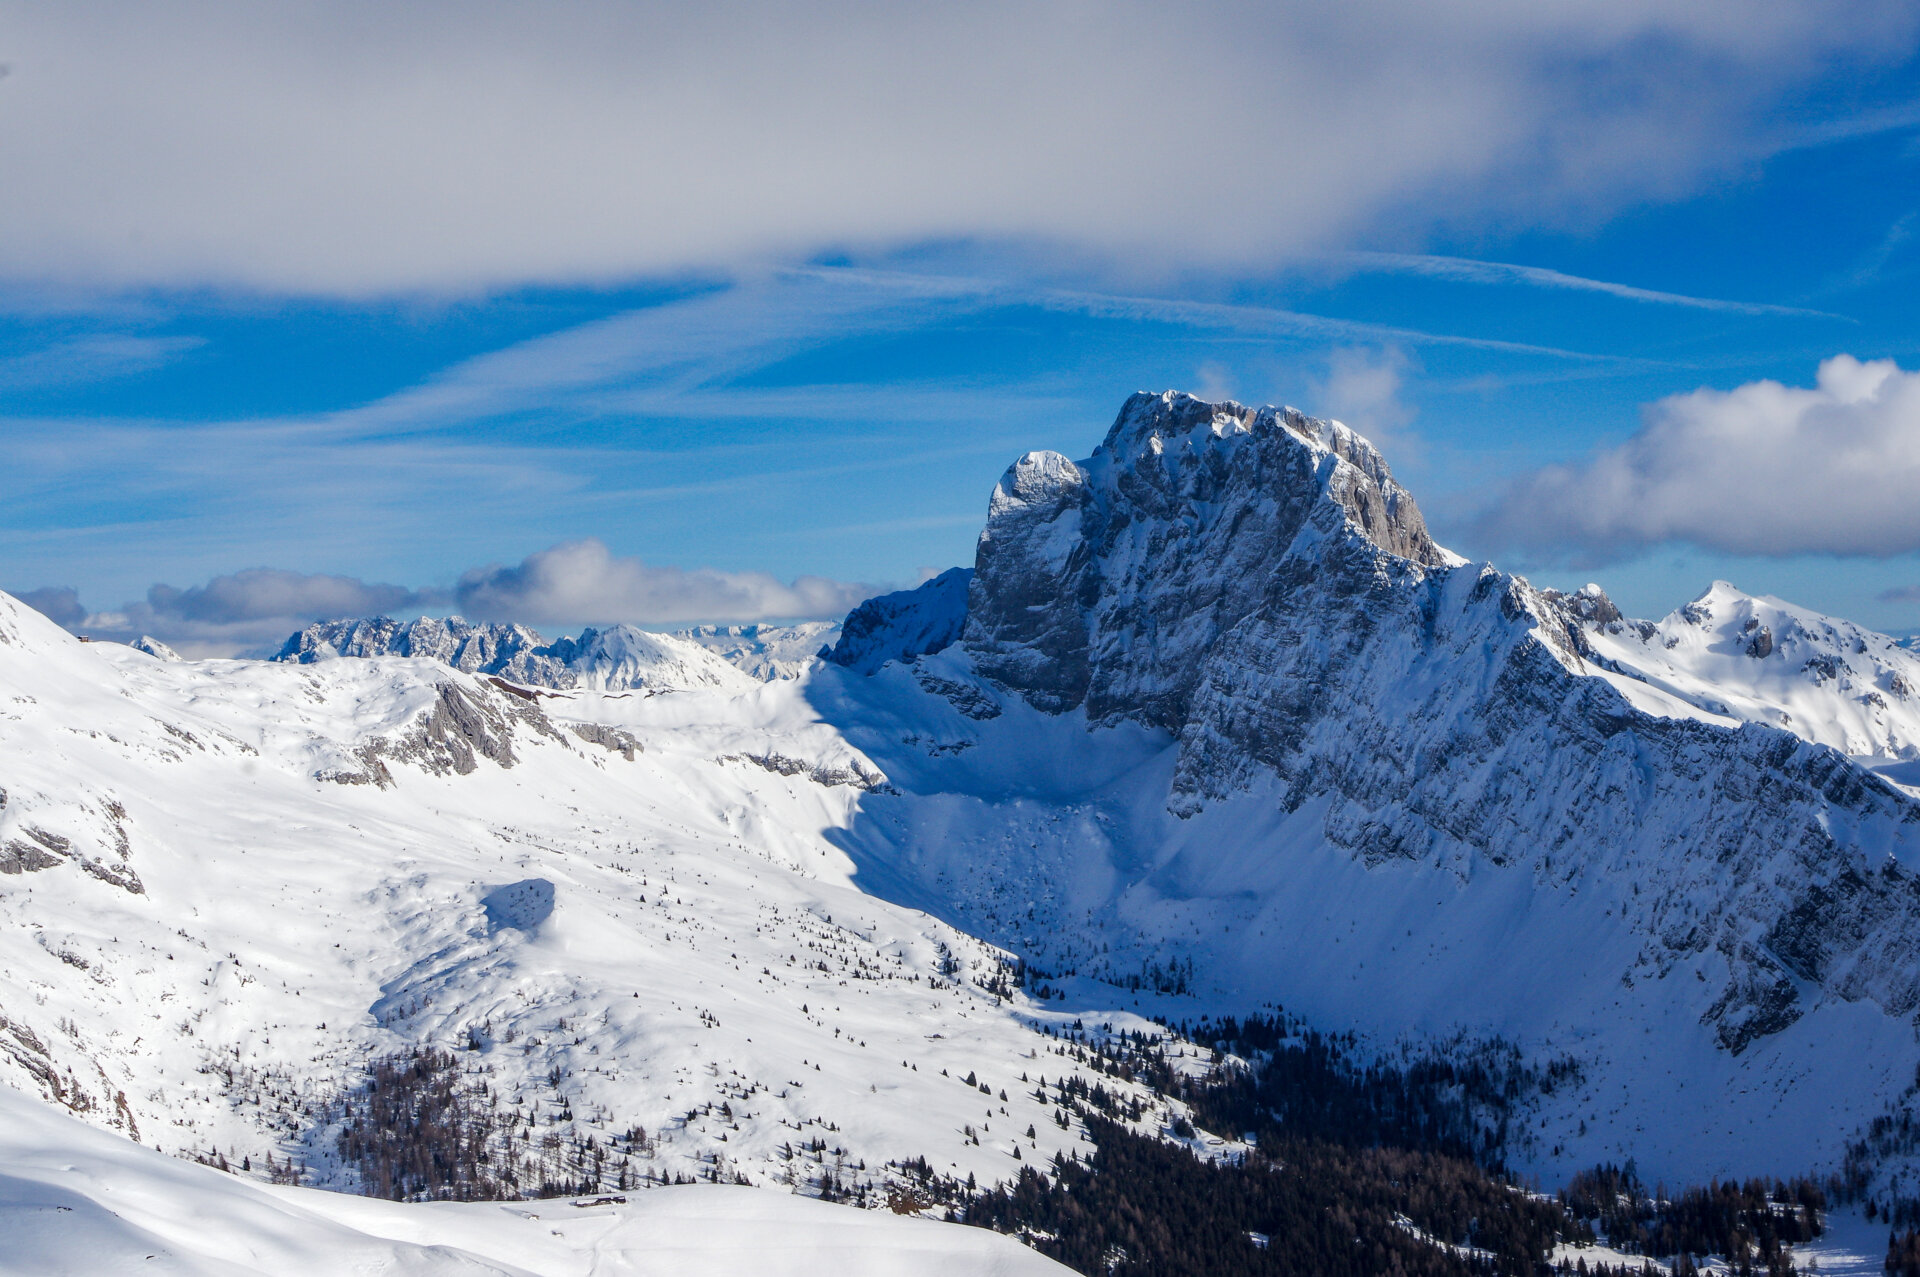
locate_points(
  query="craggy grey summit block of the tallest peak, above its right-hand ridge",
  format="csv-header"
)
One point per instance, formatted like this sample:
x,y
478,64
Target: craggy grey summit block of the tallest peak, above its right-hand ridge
x,y
1105,583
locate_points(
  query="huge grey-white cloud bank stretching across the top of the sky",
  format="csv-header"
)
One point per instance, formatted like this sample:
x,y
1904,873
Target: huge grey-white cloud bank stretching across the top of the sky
x,y
370,147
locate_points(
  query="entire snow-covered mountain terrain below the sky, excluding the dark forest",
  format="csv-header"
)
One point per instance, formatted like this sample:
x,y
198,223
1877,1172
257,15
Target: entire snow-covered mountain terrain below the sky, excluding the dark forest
x,y
1212,725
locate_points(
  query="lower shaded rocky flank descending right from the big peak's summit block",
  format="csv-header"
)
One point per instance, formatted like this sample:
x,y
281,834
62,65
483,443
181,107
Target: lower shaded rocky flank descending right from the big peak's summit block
x,y
1449,723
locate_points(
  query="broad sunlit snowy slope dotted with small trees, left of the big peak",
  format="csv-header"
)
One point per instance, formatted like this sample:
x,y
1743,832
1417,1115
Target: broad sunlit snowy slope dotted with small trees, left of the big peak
x,y
228,886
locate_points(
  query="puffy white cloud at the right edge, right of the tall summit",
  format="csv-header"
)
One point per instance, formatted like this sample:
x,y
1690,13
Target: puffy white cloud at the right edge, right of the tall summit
x,y
1764,470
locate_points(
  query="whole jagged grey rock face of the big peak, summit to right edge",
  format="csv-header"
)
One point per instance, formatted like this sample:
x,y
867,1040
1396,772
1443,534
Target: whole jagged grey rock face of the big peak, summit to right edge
x,y
1259,587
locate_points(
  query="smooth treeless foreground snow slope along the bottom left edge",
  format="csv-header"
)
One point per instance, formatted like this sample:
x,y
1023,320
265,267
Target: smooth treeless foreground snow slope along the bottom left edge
x,y
76,1201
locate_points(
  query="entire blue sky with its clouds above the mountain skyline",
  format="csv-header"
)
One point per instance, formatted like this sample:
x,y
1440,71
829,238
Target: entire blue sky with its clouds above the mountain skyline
x,y
372,335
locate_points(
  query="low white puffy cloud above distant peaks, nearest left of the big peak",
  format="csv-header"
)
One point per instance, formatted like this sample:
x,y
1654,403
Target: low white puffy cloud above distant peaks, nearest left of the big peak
x,y
583,583
